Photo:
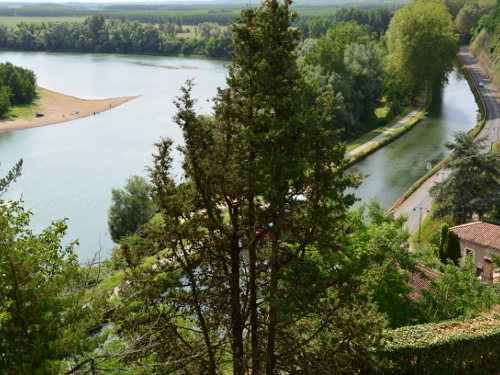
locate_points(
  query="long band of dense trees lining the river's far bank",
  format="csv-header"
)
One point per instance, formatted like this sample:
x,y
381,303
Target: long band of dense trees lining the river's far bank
x,y
98,35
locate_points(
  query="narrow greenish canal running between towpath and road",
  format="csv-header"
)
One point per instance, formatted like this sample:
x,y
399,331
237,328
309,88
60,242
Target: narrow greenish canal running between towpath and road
x,y
395,167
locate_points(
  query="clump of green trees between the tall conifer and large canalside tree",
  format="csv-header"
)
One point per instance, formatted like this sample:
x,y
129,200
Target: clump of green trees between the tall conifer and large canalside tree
x,y
348,62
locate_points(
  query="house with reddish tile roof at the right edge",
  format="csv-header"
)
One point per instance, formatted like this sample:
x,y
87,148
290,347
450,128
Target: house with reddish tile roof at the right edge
x,y
479,239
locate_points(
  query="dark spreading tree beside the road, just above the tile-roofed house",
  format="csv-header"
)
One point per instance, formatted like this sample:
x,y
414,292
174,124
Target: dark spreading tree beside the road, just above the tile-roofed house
x,y
473,185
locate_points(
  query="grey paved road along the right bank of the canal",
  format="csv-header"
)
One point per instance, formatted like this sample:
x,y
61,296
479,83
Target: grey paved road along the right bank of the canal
x,y
420,199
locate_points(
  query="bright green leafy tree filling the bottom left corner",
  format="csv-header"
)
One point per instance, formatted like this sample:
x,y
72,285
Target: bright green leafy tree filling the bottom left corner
x,y
42,317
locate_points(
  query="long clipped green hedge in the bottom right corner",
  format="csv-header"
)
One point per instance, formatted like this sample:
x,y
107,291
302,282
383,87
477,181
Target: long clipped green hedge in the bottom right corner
x,y
454,347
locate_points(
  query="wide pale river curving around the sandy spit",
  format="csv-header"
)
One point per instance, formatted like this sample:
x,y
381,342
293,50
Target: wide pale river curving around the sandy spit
x,y
70,168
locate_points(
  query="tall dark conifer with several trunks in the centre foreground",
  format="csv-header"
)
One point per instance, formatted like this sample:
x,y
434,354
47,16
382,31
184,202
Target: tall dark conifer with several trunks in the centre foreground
x,y
253,271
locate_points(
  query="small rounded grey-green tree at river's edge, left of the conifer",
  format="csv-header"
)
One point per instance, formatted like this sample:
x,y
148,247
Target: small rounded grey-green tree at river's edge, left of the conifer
x,y
130,207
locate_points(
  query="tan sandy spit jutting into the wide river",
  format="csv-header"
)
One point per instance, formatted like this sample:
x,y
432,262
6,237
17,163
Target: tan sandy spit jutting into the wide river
x,y
60,108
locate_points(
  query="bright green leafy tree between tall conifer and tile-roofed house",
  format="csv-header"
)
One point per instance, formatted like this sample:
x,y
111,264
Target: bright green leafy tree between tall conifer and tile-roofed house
x,y
381,242
